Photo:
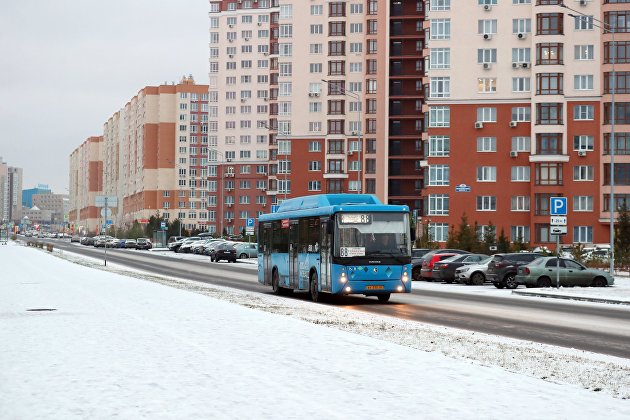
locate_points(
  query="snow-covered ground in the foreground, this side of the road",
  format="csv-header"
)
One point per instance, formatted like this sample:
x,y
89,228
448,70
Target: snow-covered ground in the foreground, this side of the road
x,y
132,345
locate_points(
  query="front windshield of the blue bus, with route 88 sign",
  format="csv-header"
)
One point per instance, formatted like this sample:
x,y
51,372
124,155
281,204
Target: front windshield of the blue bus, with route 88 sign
x,y
372,235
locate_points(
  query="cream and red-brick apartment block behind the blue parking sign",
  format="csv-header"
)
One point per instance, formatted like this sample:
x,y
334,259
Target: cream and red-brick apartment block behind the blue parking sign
x,y
514,90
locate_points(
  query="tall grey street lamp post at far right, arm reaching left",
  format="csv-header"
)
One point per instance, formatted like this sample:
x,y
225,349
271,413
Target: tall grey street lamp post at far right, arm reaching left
x,y
612,142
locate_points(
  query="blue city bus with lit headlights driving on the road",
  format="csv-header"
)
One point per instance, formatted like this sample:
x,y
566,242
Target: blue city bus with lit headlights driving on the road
x,y
338,244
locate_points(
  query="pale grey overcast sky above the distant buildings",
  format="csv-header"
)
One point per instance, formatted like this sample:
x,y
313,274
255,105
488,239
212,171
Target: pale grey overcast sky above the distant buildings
x,y
67,65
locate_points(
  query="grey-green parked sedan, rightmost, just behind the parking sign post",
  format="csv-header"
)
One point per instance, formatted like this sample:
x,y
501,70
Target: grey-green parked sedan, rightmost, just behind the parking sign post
x,y
543,272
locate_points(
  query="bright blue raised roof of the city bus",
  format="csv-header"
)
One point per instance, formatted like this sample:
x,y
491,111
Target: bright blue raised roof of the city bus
x,y
324,204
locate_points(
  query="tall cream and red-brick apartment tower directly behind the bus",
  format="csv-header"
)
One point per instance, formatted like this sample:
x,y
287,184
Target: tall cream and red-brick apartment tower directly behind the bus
x,y
305,93
